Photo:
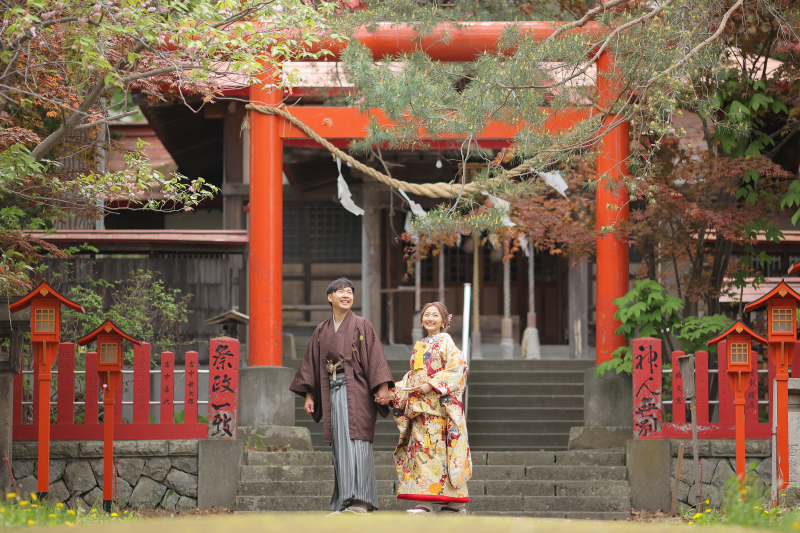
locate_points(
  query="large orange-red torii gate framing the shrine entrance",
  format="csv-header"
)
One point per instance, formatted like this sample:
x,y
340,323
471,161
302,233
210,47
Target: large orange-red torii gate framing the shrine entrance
x,y
268,133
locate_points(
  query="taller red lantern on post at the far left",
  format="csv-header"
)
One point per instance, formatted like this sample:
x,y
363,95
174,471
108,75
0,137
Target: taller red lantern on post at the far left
x,y
45,304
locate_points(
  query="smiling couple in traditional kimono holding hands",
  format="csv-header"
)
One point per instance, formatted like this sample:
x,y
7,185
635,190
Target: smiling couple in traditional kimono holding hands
x,y
346,382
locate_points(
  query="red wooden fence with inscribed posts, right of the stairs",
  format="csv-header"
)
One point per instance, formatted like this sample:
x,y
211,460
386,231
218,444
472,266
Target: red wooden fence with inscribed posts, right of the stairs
x,y
648,392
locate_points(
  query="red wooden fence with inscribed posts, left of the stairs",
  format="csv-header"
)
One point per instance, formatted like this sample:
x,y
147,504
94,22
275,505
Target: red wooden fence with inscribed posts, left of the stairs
x,y
65,427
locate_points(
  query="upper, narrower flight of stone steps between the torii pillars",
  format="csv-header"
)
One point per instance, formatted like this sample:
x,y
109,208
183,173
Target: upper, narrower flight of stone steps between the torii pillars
x,y
513,405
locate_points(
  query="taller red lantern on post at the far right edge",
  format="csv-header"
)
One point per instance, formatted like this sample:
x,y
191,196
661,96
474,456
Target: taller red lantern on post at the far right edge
x,y
781,304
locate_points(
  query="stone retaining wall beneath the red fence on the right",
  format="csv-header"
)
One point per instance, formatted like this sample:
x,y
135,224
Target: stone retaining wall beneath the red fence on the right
x,y
719,465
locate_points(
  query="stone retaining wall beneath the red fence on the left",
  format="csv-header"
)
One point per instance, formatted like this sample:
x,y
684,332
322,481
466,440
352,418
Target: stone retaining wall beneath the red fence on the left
x,y
150,473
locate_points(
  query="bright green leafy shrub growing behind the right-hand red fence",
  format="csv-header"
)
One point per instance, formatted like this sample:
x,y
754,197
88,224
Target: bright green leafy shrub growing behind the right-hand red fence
x,y
648,310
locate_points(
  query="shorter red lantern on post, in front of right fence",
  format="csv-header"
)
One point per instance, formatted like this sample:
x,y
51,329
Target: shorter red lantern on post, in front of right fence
x,y
739,347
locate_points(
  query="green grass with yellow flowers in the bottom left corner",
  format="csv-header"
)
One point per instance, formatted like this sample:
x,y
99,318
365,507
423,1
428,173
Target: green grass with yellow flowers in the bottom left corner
x,y
18,512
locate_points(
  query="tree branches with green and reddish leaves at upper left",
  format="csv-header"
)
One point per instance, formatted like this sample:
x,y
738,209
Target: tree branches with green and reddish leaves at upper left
x,y
70,67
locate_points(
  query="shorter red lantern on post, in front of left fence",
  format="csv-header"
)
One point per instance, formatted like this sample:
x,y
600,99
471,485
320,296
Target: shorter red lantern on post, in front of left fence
x,y
109,349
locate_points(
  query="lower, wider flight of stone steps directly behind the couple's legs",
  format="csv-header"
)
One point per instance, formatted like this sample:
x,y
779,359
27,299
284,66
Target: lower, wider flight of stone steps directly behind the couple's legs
x,y
581,485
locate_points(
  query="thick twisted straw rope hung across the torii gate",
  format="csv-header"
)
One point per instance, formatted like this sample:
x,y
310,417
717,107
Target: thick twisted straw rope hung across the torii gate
x,y
431,190
